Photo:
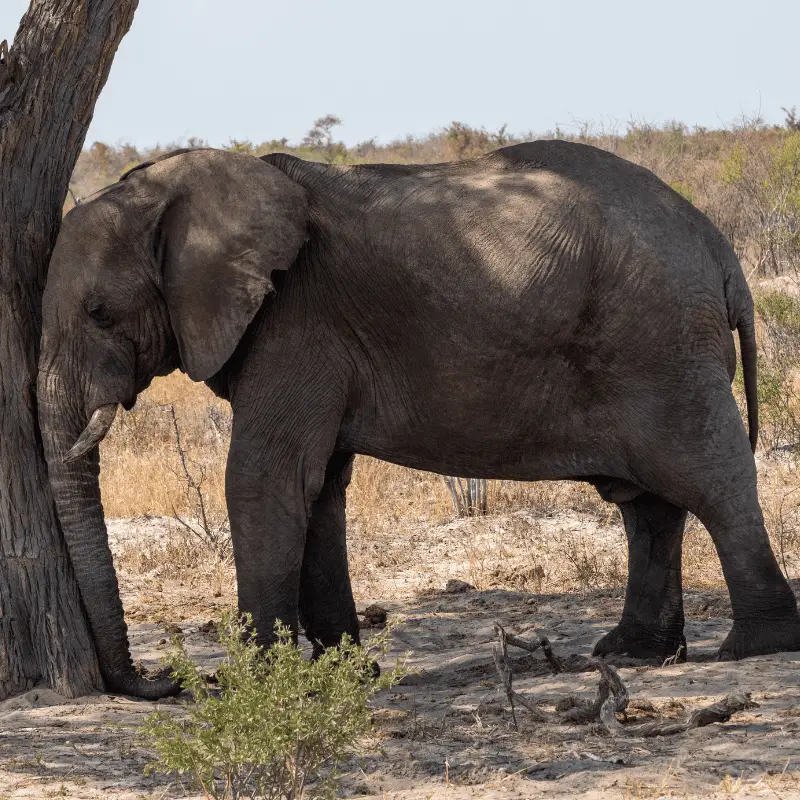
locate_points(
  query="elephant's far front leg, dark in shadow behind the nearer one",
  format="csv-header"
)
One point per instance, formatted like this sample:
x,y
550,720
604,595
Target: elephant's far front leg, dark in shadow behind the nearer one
x,y
327,608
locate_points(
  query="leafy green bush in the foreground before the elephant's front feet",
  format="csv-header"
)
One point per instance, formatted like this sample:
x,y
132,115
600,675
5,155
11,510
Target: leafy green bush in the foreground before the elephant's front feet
x,y
276,725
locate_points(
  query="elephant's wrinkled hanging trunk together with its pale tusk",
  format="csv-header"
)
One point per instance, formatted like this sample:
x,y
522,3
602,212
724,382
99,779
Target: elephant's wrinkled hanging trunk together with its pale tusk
x,y
76,490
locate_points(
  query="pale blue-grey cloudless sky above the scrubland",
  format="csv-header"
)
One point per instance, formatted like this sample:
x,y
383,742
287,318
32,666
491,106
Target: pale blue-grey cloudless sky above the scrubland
x,y
261,69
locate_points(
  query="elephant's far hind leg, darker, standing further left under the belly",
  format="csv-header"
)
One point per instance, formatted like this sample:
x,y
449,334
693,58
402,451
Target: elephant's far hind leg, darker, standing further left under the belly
x,y
652,620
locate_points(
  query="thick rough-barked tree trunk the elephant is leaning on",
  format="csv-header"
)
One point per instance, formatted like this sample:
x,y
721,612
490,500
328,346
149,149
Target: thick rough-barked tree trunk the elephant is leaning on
x,y
49,84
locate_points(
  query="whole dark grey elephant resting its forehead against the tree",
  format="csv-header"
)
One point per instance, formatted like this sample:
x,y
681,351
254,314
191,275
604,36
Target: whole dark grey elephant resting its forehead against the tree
x,y
548,311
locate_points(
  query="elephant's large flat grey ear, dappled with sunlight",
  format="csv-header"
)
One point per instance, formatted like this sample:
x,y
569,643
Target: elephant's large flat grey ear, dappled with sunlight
x,y
229,222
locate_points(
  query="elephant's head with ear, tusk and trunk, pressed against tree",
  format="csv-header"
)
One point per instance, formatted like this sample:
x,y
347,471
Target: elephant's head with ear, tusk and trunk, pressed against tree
x,y
165,268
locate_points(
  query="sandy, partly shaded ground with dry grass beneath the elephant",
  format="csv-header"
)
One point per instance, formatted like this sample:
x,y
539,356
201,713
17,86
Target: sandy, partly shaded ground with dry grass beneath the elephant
x,y
446,732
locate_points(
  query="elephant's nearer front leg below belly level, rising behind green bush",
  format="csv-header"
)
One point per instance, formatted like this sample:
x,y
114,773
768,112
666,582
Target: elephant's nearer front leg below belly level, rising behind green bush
x,y
269,513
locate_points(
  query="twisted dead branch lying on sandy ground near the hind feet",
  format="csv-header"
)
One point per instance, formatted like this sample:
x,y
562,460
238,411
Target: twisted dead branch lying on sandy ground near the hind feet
x,y
611,699
